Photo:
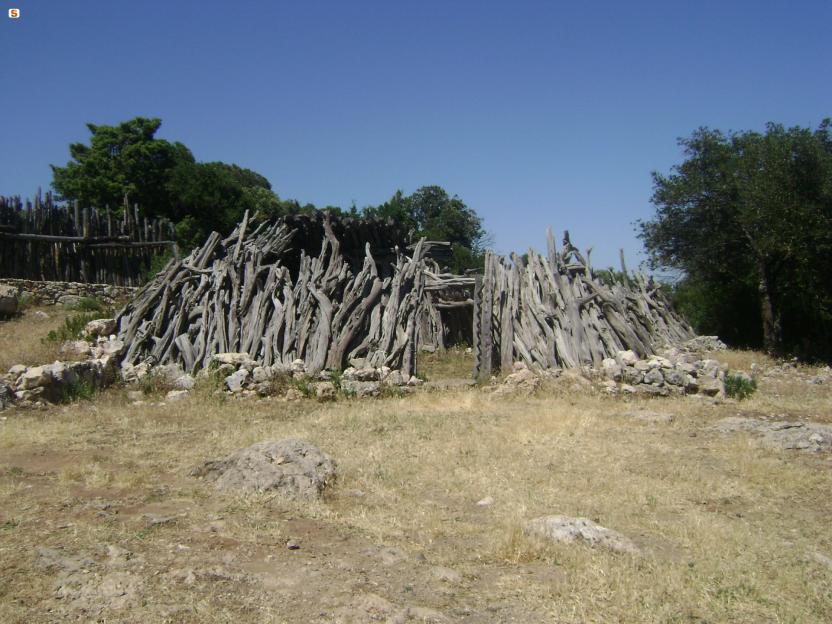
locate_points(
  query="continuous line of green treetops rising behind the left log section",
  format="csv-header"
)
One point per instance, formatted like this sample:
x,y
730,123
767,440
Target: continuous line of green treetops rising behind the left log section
x,y
166,180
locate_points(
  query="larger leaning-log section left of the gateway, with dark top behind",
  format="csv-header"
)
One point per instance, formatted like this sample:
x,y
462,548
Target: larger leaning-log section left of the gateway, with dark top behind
x,y
272,291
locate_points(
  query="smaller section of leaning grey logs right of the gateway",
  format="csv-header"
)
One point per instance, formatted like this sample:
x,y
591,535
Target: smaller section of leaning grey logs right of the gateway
x,y
556,312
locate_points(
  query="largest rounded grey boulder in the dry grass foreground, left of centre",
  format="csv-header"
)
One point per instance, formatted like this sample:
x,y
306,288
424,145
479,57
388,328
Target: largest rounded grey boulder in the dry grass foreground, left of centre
x,y
292,467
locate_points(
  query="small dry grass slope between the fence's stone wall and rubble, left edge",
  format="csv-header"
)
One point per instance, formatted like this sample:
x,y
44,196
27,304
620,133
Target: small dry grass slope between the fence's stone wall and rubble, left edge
x,y
22,338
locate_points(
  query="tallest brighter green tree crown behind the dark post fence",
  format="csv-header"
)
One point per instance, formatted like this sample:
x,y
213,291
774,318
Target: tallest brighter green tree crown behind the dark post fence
x,y
122,160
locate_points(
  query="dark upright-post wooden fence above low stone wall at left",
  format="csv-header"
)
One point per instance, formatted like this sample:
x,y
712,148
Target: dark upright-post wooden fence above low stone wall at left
x,y
40,240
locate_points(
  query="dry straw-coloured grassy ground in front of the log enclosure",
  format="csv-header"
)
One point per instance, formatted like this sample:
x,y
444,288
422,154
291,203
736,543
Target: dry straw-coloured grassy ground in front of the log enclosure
x,y
101,522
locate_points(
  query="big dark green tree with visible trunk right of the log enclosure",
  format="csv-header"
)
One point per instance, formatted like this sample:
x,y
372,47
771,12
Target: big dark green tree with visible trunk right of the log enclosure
x,y
748,218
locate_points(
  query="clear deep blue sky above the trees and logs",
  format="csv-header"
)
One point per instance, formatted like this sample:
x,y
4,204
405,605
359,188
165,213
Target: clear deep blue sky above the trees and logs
x,y
534,113
